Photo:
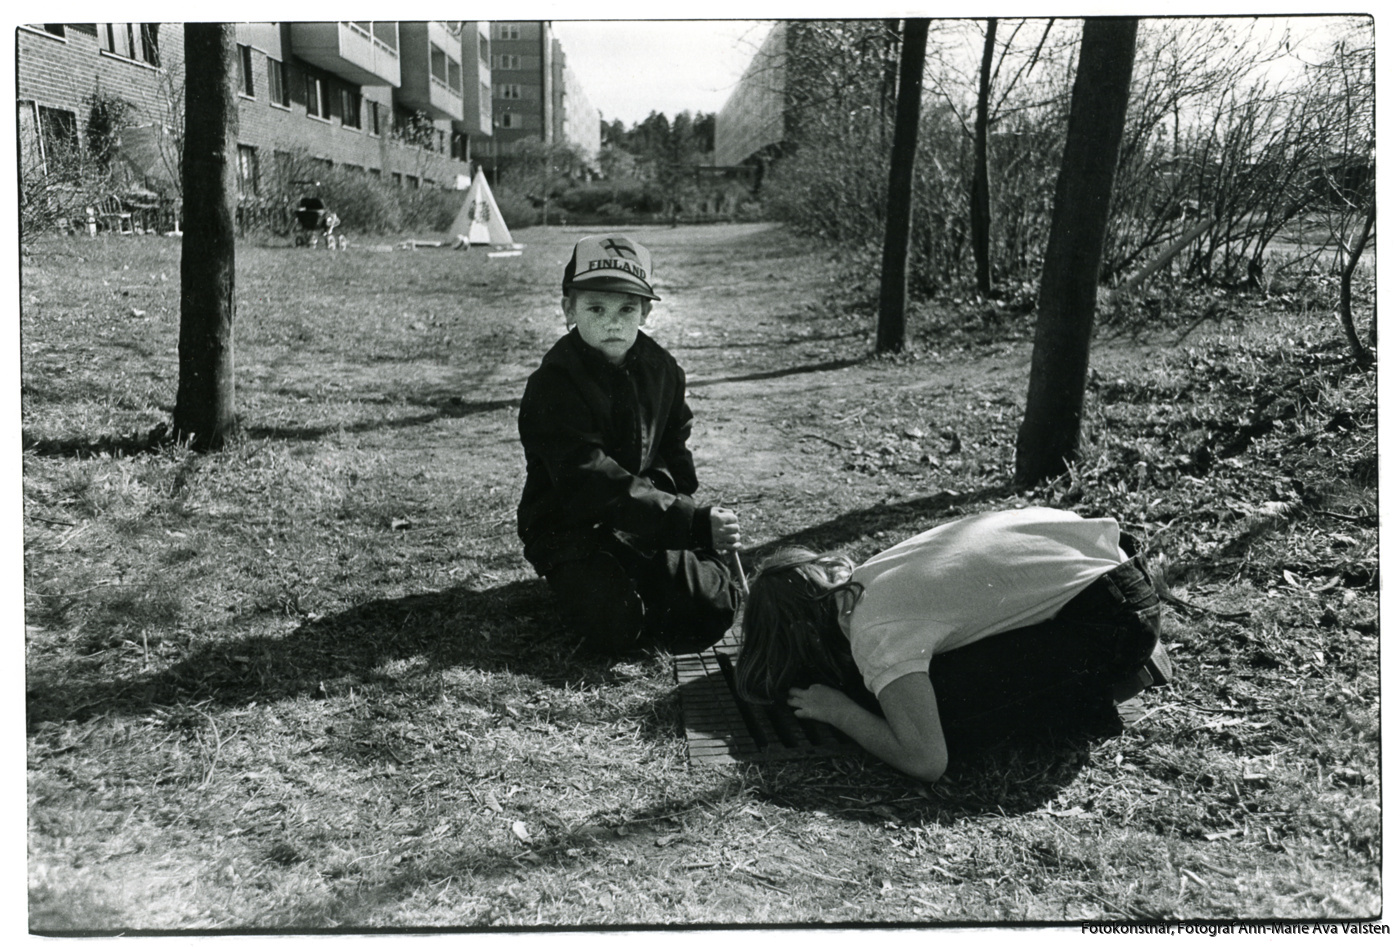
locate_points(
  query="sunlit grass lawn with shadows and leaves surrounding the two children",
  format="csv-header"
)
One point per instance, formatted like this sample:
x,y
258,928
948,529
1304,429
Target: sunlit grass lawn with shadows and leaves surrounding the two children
x,y
311,684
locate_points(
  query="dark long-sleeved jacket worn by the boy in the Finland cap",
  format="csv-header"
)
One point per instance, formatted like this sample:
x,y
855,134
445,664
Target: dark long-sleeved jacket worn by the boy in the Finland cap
x,y
607,446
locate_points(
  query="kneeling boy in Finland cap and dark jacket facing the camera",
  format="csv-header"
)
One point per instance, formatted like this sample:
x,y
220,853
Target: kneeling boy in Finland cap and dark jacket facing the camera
x,y
607,515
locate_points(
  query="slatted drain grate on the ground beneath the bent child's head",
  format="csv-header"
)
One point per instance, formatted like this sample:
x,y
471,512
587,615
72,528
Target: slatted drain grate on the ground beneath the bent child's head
x,y
720,728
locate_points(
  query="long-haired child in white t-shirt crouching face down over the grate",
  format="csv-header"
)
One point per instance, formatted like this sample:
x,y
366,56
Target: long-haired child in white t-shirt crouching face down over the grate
x,y
996,625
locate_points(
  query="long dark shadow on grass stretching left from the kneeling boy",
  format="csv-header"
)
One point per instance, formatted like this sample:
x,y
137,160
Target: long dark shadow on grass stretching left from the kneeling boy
x,y
510,628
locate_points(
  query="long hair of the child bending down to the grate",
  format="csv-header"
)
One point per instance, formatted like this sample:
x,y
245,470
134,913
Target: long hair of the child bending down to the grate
x,y
792,637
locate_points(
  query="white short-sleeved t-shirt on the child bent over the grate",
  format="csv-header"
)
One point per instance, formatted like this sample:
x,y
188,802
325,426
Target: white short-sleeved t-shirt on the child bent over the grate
x,y
971,579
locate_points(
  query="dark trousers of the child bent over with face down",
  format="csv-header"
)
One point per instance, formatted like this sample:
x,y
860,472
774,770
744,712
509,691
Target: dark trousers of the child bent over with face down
x,y
1053,677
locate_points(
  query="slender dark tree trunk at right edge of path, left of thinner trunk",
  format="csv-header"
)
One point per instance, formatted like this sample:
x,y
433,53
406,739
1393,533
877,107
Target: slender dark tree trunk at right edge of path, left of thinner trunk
x,y
890,336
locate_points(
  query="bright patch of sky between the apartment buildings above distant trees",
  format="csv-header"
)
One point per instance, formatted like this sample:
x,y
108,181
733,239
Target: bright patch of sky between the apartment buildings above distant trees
x,y
633,68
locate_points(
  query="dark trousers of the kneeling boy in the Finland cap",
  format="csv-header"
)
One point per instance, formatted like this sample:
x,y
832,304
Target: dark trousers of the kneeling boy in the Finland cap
x,y
621,597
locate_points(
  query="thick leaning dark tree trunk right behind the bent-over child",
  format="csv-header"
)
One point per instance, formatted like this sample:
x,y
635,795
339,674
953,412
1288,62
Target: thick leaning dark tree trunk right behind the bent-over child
x,y
1049,436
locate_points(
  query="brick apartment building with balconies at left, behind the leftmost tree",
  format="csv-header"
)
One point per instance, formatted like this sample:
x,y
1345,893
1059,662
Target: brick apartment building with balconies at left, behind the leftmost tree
x,y
404,102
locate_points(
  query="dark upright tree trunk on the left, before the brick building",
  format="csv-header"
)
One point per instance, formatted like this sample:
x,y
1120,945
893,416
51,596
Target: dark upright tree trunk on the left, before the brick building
x,y
205,399
